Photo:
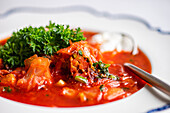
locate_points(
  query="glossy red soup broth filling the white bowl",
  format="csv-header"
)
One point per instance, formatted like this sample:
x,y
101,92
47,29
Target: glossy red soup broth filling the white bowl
x,y
72,93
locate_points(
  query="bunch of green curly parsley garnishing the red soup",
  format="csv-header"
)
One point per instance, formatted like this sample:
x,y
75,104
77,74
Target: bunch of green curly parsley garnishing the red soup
x,y
38,40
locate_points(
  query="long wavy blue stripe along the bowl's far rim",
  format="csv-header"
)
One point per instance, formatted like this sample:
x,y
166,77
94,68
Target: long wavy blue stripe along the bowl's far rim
x,y
81,8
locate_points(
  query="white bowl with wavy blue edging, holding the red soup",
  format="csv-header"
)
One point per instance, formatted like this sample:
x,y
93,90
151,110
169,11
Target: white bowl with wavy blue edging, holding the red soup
x,y
156,45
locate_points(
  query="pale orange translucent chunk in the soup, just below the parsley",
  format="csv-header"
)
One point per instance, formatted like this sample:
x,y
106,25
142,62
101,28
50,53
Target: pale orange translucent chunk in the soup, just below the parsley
x,y
38,74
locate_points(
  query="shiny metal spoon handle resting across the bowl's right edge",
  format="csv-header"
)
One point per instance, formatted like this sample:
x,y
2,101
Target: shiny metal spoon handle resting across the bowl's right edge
x,y
152,80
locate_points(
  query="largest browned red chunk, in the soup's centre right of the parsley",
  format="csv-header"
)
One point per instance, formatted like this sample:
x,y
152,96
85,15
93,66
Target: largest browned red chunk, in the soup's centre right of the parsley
x,y
81,57
